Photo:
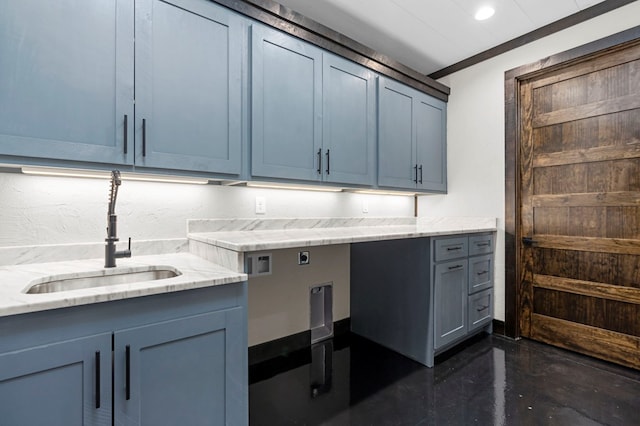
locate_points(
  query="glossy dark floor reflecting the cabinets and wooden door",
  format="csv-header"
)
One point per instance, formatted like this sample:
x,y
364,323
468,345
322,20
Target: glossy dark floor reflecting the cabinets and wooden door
x,y
491,381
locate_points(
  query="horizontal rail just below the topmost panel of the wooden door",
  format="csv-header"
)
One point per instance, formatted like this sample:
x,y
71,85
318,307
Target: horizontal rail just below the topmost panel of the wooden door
x,y
594,109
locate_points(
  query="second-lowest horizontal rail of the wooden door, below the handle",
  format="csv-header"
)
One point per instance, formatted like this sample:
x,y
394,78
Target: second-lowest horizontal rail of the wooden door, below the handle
x,y
588,288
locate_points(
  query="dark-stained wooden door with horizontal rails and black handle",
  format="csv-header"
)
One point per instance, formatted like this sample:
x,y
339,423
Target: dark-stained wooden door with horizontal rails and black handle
x,y
580,195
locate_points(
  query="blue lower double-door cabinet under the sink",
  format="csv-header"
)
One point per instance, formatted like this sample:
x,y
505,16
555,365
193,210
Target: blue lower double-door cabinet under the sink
x,y
171,359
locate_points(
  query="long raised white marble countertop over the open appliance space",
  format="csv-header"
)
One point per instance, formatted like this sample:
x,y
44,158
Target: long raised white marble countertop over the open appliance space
x,y
257,235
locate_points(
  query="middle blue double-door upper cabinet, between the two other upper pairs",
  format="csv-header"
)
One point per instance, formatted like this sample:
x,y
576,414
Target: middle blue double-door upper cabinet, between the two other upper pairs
x,y
313,113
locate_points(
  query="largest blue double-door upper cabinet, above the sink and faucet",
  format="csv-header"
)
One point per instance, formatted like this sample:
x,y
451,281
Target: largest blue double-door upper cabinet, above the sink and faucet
x,y
67,86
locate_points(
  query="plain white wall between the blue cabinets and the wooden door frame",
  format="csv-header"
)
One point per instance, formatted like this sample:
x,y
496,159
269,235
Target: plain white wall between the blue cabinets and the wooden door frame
x,y
476,127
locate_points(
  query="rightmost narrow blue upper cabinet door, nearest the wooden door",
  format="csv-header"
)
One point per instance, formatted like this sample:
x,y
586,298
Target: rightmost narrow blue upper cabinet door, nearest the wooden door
x,y
431,143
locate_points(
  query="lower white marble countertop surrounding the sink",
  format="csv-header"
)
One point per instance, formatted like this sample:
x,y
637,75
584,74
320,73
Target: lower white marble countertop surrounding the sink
x,y
195,272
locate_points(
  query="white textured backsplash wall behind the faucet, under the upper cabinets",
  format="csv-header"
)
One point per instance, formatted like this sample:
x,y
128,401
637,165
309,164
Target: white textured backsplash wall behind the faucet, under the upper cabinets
x,y
55,210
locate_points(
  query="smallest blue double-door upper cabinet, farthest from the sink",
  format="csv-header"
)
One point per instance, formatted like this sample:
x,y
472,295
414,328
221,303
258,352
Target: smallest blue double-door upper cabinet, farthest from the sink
x,y
412,139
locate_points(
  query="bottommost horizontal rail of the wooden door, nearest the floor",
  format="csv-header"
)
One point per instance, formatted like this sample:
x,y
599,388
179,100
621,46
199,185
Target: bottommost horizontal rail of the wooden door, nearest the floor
x,y
609,345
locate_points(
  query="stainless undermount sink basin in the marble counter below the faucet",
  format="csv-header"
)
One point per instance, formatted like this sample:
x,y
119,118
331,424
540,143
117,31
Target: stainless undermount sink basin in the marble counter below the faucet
x,y
101,278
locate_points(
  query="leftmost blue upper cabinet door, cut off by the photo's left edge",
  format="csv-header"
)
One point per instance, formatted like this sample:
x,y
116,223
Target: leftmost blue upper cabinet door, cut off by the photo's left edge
x,y
67,79
